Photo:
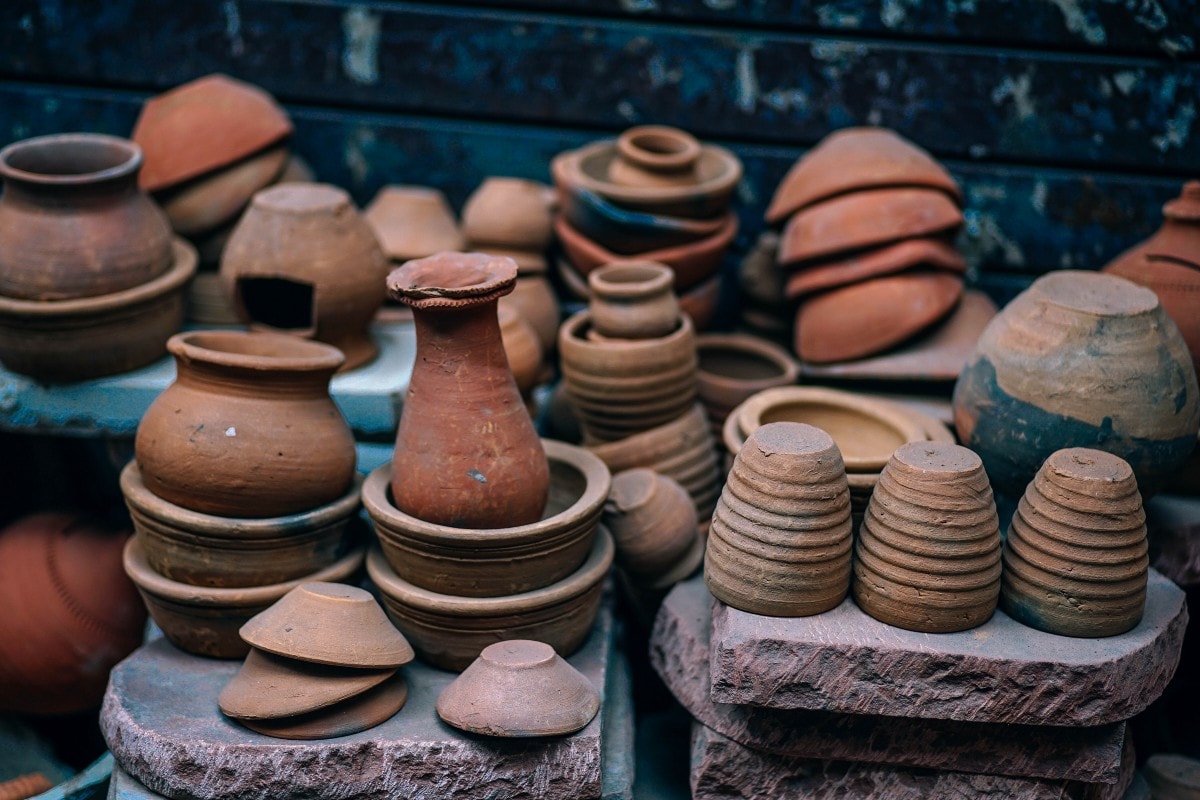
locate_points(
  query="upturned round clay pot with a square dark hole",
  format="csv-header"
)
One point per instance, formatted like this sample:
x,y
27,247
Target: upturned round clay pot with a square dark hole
x,y
303,261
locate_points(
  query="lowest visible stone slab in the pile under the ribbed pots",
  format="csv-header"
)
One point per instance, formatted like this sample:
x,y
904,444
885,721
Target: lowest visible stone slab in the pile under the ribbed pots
x,y
723,769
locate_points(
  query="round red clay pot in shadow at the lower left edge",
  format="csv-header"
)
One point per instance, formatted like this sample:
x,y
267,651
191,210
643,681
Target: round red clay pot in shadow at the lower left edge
x,y
69,613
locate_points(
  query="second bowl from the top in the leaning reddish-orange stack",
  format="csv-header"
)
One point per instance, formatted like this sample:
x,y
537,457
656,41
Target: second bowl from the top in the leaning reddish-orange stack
x,y
867,219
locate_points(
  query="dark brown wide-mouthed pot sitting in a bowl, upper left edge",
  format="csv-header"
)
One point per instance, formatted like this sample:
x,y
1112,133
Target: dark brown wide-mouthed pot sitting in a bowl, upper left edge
x,y
73,221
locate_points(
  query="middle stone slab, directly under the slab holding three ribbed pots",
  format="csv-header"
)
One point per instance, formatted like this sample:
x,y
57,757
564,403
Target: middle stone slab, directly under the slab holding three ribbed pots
x,y
680,647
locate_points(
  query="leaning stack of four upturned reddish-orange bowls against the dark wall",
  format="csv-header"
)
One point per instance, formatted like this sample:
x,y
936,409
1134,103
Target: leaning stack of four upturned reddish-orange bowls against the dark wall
x,y
869,221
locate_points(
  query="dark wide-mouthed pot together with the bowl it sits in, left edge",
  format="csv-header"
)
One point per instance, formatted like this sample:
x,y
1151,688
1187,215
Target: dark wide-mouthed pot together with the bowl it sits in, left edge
x,y
92,281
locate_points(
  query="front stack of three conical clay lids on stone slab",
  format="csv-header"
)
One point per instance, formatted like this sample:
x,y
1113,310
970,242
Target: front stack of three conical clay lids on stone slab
x,y
323,664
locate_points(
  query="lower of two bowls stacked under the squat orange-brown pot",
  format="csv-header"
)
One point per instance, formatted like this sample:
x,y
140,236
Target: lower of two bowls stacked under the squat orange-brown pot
x,y
205,621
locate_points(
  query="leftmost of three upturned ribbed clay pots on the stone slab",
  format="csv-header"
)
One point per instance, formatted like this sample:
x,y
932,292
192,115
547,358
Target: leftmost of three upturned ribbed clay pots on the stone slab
x,y
781,542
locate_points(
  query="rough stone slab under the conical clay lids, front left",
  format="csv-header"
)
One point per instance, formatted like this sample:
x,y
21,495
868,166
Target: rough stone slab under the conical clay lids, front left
x,y
161,723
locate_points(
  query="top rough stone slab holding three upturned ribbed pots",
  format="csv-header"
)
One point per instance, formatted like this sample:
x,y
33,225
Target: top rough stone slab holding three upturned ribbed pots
x,y
1001,672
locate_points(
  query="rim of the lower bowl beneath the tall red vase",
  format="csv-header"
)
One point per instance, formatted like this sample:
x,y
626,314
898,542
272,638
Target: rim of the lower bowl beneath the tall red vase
x,y
591,573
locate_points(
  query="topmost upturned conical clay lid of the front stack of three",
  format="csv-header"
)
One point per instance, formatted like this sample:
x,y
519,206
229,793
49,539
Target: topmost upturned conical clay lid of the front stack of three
x,y
329,624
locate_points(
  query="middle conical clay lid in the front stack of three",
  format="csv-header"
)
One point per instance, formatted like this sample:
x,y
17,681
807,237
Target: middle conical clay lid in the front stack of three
x,y
269,688
